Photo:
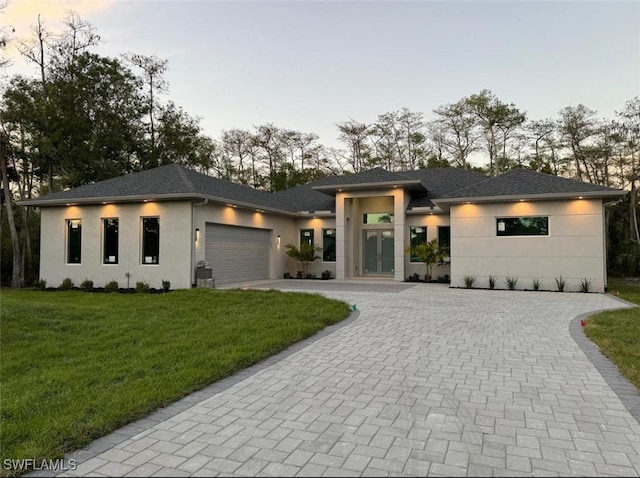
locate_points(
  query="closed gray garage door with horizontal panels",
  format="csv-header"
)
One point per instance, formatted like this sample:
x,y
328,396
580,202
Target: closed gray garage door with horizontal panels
x,y
237,253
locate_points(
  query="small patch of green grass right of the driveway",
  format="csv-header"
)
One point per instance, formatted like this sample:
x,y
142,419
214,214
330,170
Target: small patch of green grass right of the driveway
x,y
617,333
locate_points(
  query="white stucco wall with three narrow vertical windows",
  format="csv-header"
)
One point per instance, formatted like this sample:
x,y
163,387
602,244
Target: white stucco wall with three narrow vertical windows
x,y
175,244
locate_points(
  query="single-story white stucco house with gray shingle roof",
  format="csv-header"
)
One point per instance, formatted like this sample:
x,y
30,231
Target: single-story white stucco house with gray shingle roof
x,y
159,224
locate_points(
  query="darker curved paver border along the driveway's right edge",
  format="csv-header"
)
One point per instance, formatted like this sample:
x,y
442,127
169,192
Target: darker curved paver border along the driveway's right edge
x,y
625,390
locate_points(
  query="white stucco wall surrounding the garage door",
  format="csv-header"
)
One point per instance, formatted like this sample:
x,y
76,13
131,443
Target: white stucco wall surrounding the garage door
x,y
283,226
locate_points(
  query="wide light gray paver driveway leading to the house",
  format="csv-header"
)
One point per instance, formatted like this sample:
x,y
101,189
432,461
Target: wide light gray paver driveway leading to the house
x,y
427,380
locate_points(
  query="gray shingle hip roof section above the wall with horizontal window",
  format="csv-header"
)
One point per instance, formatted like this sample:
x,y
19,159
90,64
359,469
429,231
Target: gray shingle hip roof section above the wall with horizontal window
x,y
524,182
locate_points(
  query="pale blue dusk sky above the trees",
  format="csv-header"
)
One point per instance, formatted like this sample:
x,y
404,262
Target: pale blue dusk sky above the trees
x,y
308,65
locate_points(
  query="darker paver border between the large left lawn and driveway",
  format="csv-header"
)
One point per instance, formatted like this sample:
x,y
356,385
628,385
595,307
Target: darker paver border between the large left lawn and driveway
x,y
102,444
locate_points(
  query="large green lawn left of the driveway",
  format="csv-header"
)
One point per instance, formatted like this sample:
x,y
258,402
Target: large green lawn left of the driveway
x,y
75,366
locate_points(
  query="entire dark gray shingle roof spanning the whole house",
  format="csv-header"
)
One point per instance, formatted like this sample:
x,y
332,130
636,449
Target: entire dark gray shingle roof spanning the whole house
x,y
446,185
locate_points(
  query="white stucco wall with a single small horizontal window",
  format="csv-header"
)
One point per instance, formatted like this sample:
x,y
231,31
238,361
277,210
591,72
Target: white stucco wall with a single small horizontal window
x,y
574,248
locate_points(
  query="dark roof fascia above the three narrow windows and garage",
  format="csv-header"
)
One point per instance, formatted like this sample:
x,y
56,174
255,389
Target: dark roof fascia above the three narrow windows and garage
x,y
152,197
